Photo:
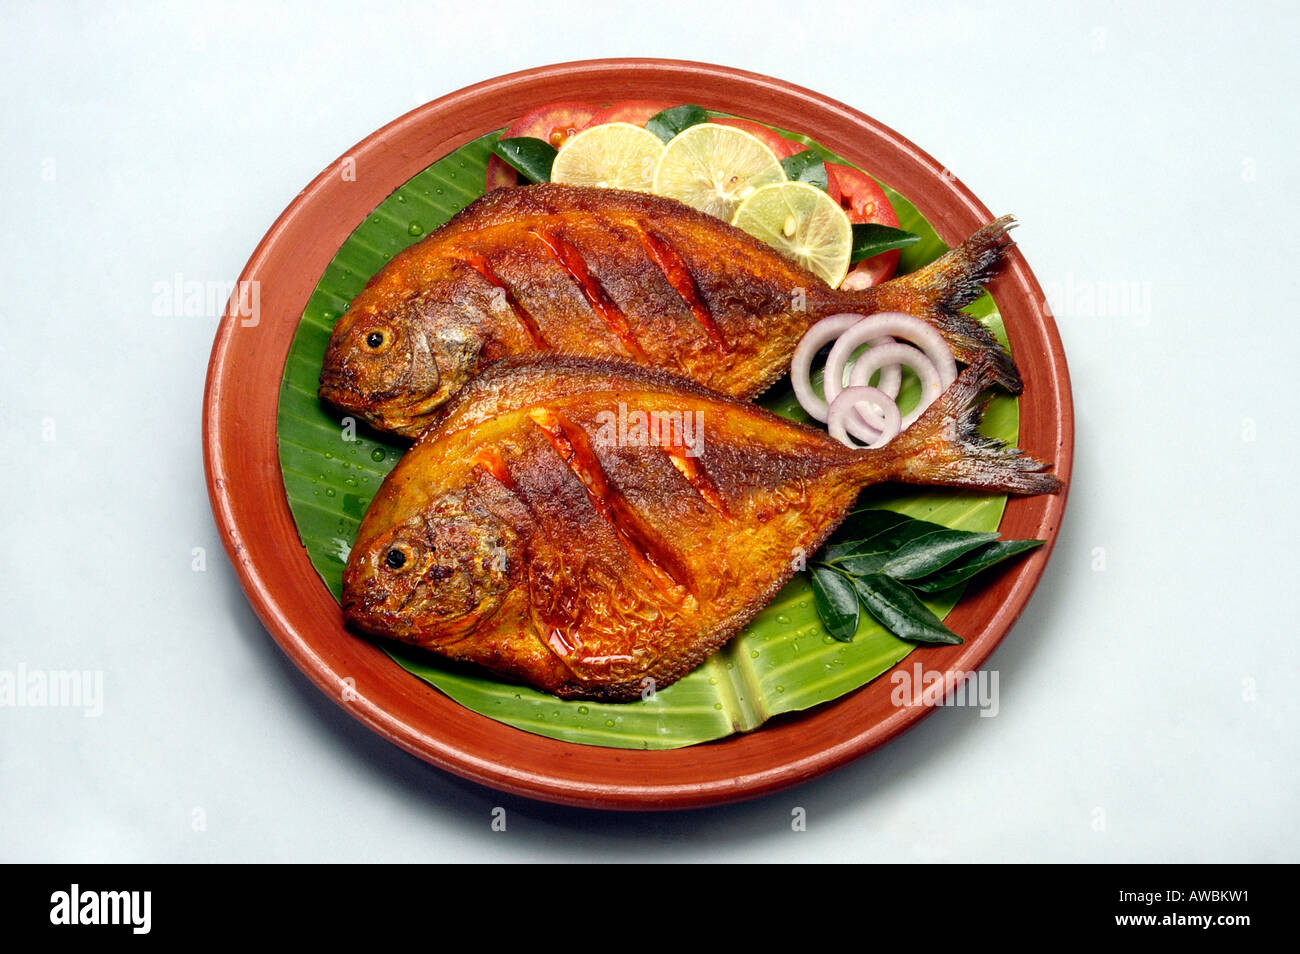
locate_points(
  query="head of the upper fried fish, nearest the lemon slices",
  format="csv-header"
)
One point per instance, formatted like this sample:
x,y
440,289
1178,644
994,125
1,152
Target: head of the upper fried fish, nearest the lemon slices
x,y
393,367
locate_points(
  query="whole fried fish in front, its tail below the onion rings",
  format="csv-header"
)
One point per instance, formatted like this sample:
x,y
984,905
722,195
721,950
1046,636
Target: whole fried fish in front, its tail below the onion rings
x,y
536,532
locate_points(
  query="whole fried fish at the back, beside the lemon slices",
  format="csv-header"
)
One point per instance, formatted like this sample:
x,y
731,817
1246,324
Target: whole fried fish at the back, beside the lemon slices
x,y
612,274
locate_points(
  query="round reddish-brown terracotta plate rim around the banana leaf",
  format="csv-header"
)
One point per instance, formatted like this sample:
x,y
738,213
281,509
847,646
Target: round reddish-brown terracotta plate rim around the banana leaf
x,y
259,534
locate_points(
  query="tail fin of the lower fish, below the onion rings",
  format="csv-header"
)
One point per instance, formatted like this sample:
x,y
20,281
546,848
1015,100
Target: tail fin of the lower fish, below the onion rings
x,y
943,446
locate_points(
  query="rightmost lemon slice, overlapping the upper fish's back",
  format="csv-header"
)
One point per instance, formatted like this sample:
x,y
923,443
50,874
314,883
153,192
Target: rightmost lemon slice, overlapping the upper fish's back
x,y
804,224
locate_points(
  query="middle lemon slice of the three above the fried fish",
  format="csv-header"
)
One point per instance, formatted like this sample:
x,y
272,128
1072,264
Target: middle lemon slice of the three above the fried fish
x,y
716,168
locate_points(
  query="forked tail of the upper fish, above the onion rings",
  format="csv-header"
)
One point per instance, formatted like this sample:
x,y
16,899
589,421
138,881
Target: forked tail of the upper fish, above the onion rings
x,y
942,289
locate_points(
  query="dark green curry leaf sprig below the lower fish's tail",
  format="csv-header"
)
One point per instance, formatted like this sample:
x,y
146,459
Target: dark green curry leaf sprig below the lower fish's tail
x,y
882,561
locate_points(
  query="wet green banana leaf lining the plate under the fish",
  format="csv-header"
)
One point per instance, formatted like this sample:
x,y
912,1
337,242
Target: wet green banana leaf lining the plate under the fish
x,y
783,662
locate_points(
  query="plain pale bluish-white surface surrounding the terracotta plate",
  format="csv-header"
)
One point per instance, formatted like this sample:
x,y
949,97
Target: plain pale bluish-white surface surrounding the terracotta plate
x,y
1149,708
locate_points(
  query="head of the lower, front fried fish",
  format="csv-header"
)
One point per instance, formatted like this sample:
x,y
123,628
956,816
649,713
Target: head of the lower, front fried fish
x,y
434,578
